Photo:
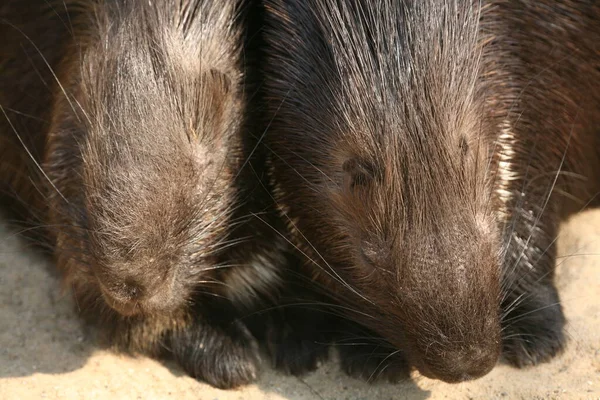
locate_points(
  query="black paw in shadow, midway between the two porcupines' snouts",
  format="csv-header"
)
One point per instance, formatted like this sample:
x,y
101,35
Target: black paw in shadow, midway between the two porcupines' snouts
x,y
296,348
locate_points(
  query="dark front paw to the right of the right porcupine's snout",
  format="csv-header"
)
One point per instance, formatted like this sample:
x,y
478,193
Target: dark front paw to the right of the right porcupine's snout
x,y
534,330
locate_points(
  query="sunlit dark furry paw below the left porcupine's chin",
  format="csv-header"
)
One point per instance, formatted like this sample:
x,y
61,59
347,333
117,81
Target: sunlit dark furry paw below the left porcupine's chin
x,y
225,356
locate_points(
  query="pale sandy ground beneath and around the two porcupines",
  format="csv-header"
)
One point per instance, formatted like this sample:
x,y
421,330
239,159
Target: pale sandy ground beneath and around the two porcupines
x,y
45,352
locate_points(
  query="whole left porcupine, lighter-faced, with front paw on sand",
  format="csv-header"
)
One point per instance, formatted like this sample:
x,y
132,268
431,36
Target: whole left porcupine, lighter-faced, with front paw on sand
x,y
122,135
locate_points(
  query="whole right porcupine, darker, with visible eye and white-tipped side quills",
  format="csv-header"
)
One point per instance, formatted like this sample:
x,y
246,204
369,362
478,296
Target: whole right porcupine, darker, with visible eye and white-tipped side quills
x,y
423,154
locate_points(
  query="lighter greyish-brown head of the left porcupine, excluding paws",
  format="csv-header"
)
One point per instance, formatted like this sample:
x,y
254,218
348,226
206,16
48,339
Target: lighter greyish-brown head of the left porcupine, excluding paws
x,y
142,151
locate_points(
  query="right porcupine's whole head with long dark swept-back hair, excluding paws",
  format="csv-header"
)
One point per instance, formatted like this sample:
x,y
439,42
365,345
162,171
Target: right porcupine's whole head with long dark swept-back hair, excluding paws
x,y
388,186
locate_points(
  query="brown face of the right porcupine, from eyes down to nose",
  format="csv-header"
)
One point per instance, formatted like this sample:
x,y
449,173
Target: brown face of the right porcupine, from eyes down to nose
x,y
425,251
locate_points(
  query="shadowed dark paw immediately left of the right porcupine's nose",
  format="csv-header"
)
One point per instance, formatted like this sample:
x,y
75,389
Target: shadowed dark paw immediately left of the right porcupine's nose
x,y
373,363
